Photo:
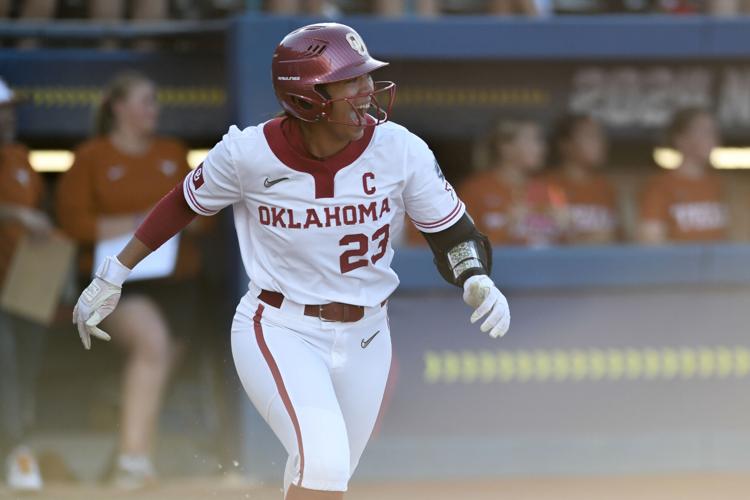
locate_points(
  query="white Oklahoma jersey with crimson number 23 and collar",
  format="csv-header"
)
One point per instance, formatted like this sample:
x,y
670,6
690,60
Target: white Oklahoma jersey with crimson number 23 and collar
x,y
319,231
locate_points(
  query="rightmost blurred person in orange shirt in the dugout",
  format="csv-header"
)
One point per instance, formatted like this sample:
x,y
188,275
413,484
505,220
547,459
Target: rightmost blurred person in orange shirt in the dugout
x,y
688,203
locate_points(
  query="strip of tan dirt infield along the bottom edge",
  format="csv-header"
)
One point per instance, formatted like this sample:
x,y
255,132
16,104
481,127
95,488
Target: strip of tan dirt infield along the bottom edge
x,y
688,487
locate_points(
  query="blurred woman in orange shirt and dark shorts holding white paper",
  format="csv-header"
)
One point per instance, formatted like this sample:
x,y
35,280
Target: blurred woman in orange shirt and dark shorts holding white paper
x,y
116,178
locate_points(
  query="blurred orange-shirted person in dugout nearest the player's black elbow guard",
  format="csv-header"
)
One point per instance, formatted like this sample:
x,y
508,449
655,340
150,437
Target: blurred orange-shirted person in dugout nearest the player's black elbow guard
x,y
507,204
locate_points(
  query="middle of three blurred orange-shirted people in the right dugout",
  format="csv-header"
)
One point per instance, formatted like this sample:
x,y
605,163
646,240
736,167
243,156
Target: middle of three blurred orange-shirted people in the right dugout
x,y
581,148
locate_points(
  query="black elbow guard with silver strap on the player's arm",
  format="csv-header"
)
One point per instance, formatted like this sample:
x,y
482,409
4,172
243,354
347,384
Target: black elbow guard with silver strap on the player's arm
x,y
460,251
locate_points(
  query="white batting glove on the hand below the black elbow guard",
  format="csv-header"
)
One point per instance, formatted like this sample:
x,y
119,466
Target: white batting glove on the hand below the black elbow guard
x,y
482,294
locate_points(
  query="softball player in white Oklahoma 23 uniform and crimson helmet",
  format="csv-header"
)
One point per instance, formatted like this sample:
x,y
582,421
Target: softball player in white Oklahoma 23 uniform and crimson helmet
x,y
315,193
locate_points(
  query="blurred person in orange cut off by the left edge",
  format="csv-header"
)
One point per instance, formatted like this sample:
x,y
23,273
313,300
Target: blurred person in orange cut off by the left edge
x,y
21,192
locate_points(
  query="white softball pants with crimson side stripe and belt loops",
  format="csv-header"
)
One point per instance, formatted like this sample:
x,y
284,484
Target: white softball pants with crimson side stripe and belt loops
x,y
318,384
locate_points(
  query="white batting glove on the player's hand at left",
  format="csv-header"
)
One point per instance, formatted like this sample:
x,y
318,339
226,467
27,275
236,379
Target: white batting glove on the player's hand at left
x,y
99,299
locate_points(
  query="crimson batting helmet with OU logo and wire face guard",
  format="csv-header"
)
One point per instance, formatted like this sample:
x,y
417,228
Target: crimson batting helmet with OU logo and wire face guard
x,y
325,53
